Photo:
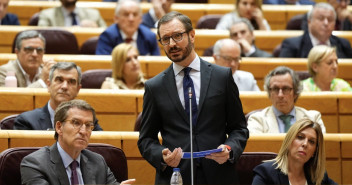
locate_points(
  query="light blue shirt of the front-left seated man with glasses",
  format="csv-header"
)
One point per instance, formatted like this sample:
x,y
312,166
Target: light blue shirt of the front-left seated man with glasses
x,y
67,160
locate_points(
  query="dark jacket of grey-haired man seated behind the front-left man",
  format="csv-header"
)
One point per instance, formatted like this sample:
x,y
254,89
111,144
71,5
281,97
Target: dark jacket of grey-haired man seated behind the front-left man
x,y
38,119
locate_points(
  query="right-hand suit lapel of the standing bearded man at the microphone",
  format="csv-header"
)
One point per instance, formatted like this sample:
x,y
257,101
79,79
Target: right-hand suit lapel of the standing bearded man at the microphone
x,y
205,73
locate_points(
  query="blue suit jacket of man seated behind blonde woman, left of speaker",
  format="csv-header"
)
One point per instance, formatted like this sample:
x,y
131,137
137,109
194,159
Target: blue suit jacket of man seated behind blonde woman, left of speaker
x,y
146,41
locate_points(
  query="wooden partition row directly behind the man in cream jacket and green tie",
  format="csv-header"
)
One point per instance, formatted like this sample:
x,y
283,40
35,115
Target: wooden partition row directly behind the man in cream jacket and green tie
x,y
118,110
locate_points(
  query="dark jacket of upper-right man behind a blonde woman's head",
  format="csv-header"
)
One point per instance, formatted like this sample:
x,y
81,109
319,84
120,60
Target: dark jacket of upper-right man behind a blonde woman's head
x,y
299,47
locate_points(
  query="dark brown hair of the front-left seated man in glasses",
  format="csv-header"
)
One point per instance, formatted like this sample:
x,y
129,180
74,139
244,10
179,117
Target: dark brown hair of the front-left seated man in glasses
x,y
64,107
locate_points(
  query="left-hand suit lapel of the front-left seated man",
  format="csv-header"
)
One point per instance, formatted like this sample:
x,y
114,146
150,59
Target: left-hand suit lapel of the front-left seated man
x,y
57,165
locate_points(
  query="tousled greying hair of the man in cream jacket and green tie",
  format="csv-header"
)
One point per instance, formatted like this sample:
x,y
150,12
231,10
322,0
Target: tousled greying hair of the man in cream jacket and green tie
x,y
281,70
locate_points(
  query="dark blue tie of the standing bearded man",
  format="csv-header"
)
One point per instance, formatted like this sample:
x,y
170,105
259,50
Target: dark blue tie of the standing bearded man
x,y
187,82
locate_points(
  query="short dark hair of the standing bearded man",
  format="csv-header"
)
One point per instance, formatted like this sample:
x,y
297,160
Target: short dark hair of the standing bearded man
x,y
186,21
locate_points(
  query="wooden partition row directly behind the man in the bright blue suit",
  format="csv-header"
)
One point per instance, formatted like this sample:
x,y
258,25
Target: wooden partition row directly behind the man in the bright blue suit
x,y
265,40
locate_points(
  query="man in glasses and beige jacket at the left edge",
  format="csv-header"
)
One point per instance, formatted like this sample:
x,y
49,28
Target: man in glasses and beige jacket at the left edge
x,y
29,67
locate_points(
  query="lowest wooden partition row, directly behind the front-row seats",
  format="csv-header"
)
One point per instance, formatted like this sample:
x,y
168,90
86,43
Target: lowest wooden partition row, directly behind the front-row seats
x,y
338,150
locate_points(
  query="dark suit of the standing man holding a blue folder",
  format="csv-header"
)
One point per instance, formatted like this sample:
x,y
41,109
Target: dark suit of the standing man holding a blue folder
x,y
219,114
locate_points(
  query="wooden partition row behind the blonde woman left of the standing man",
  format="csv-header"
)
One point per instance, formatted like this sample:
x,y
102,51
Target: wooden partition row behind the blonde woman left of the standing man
x,y
153,65
